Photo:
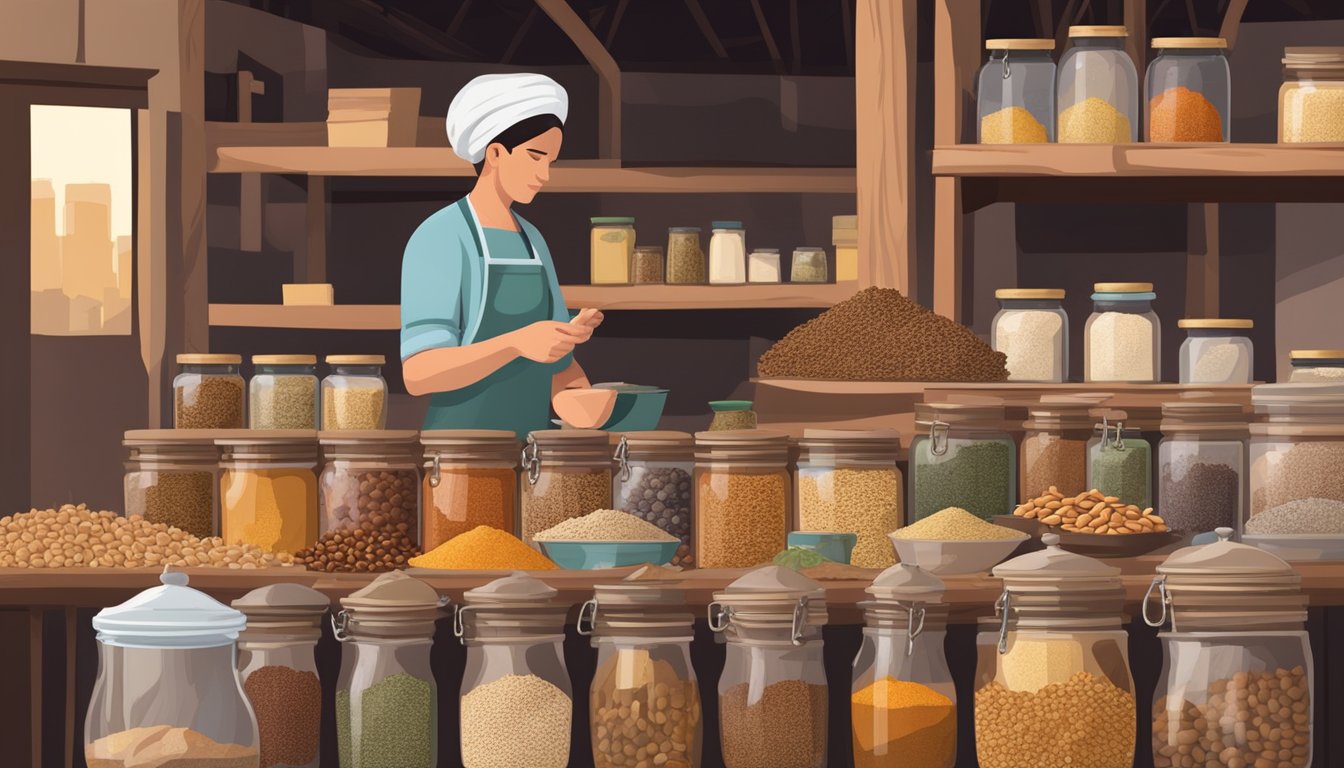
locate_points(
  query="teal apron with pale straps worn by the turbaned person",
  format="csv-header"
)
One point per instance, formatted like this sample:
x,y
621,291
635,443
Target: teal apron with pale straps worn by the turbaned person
x,y
517,397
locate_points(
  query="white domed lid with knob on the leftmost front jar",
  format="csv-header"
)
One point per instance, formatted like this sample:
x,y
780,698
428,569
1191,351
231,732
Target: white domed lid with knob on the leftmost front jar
x,y
170,617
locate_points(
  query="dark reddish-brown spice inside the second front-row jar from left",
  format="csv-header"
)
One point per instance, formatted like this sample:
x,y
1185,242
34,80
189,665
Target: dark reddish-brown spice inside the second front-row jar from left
x,y
290,709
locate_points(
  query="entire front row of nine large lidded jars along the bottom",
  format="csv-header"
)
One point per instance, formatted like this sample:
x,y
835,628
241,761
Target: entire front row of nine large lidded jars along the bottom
x,y
1053,685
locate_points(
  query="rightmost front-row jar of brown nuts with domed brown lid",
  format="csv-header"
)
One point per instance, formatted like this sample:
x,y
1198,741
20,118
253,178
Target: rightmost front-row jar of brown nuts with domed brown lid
x,y
1237,680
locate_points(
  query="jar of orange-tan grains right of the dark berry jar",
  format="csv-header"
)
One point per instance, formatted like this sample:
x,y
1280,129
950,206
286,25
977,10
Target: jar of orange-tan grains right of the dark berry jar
x,y
741,497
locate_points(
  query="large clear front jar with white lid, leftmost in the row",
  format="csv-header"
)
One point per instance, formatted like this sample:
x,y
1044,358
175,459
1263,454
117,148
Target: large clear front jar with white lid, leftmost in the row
x,y
167,684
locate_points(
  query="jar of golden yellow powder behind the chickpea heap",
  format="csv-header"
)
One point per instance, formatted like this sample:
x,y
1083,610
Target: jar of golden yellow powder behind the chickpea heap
x,y
268,492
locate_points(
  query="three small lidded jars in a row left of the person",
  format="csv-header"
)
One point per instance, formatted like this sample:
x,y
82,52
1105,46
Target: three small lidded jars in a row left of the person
x,y
284,393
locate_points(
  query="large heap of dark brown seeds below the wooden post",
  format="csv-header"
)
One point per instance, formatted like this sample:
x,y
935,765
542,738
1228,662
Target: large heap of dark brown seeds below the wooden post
x,y
881,336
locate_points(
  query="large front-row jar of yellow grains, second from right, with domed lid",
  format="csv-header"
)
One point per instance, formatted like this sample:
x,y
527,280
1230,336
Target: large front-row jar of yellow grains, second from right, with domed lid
x,y
1056,648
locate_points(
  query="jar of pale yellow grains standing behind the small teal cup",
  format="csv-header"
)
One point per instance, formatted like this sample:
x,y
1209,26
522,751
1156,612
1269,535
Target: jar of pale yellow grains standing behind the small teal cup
x,y
849,482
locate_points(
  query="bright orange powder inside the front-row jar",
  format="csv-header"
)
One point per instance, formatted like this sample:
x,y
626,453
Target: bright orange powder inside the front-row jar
x,y
905,722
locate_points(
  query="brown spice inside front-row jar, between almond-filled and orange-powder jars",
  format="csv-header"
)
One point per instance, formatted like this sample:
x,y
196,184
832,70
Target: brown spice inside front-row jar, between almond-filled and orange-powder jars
x,y
782,727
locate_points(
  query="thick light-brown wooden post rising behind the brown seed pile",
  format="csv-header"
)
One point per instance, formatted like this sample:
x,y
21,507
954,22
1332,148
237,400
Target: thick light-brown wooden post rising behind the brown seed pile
x,y
885,122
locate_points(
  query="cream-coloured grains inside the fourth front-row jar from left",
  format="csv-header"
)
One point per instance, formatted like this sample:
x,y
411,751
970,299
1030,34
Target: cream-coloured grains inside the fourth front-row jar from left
x,y
514,722
